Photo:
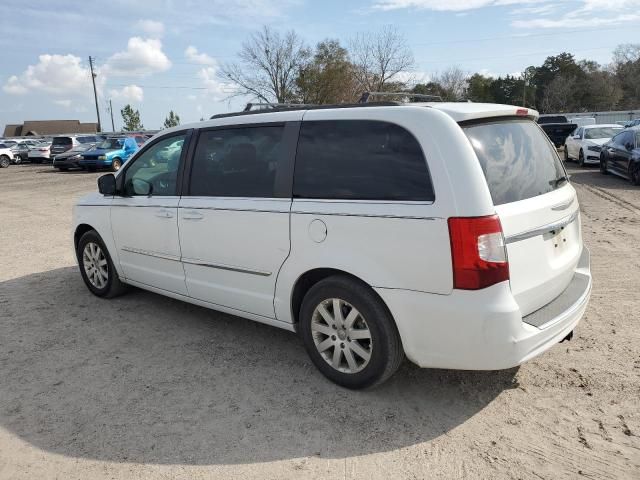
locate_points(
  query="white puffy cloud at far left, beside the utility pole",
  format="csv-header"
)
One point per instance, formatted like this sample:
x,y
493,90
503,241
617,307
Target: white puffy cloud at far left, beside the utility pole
x,y
54,74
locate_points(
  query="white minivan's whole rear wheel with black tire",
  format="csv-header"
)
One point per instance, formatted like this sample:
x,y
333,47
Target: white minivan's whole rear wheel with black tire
x,y
323,334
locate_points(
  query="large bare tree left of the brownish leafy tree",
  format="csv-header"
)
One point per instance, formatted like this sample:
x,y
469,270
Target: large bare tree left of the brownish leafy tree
x,y
269,66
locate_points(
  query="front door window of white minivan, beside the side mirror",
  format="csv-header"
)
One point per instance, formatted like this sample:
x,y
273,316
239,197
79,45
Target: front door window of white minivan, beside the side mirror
x,y
155,171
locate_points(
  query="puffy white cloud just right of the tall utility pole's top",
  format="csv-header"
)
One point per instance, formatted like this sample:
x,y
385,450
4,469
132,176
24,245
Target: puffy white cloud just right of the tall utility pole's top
x,y
142,57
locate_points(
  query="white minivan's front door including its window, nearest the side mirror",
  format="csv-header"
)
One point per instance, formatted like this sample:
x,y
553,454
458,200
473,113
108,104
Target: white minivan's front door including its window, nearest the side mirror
x,y
144,218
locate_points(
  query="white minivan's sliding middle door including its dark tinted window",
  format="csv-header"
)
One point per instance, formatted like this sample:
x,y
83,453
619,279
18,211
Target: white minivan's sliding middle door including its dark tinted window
x,y
234,222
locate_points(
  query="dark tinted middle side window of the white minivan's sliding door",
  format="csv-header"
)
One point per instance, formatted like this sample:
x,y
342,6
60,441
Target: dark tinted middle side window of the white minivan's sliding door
x,y
237,162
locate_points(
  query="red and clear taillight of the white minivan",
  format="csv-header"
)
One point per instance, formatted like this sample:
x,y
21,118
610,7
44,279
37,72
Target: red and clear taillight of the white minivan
x,y
478,252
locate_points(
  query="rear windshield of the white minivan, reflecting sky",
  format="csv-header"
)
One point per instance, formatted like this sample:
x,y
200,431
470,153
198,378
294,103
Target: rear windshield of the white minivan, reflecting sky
x,y
517,159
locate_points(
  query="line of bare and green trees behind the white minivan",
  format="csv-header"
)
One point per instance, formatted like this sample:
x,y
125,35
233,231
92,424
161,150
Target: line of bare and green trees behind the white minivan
x,y
281,68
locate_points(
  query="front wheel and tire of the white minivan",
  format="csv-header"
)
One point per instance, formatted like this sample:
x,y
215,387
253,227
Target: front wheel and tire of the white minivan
x,y
100,278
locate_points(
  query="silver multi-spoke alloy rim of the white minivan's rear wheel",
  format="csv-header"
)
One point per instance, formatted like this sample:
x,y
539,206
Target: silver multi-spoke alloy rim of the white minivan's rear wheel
x,y
341,335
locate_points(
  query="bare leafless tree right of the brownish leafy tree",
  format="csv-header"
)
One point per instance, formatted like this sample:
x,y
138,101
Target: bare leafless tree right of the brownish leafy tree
x,y
379,57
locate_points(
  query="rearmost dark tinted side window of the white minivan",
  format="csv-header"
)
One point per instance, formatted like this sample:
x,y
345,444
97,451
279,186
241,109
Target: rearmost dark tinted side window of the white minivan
x,y
360,160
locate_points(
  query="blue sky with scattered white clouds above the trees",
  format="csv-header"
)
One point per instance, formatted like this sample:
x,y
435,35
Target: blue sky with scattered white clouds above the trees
x,y
161,55
